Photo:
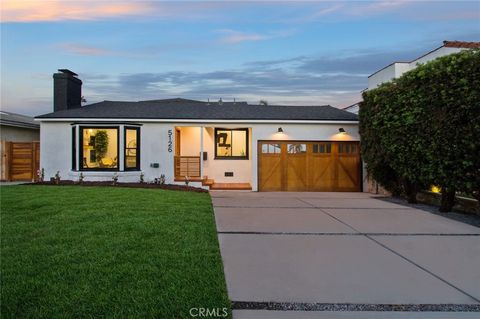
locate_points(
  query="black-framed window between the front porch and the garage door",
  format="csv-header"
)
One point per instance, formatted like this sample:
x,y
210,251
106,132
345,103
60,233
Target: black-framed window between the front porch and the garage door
x,y
231,143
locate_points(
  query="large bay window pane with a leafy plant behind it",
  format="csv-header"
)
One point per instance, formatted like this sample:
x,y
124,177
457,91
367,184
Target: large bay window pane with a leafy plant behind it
x,y
99,148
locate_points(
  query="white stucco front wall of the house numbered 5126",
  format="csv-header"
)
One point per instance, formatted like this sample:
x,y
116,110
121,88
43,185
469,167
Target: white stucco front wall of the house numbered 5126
x,y
56,155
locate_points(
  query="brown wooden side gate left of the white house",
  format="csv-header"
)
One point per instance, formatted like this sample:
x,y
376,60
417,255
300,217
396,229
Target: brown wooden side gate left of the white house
x,y
20,161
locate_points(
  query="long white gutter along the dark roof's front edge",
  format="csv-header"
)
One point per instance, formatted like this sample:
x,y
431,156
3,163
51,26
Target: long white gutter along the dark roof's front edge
x,y
193,121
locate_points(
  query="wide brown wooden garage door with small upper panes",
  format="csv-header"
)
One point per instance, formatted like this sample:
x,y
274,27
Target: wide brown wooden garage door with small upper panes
x,y
323,166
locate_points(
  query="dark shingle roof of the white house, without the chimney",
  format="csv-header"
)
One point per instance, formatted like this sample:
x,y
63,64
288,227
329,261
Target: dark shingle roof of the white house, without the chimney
x,y
181,109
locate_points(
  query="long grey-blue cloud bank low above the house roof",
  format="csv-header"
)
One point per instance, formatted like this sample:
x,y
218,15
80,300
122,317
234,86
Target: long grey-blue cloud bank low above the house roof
x,y
326,79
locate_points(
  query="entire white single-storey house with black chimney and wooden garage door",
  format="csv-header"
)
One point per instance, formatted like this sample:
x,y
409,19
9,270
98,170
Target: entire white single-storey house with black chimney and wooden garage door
x,y
224,145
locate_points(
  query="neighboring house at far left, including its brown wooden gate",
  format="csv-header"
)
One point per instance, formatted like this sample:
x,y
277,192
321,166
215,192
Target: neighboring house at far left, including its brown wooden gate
x,y
19,148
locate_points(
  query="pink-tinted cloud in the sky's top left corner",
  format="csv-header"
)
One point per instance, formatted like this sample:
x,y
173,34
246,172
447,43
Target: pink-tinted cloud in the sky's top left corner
x,y
56,10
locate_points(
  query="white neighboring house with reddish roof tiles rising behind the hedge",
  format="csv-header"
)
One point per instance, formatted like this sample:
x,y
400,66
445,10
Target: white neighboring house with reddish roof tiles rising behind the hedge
x,y
396,69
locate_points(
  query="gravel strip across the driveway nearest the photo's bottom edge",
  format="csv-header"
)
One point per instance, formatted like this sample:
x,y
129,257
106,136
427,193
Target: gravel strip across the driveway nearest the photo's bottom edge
x,y
352,307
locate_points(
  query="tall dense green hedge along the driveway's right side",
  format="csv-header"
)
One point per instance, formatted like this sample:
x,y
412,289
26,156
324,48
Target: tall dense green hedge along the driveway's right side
x,y
423,128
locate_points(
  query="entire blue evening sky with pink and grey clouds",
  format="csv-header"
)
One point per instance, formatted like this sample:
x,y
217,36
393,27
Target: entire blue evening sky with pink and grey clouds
x,y
294,53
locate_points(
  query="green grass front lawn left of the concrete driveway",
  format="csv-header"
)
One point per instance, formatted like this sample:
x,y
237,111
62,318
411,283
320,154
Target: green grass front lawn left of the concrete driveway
x,y
106,252
